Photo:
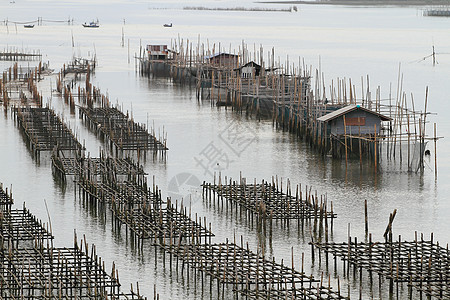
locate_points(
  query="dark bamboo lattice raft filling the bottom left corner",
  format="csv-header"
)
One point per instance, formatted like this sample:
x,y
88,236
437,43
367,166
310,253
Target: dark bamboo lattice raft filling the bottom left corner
x,y
73,273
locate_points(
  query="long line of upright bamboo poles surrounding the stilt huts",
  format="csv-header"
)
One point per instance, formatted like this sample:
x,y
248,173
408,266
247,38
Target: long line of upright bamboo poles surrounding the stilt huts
x,y
287,94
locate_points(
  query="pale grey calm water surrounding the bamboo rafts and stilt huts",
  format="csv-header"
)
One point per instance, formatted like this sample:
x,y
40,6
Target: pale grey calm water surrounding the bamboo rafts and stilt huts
x,y
341,41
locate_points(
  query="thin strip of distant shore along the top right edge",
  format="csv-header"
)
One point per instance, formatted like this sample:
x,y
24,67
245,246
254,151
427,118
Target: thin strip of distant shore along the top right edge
x,y
364,2
